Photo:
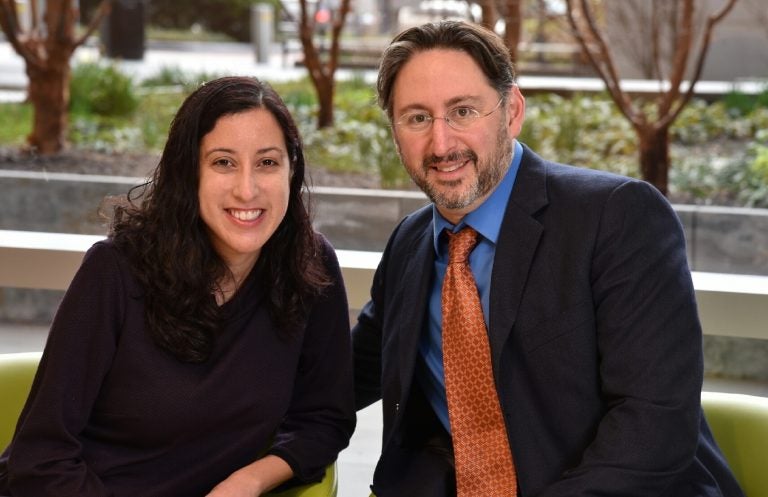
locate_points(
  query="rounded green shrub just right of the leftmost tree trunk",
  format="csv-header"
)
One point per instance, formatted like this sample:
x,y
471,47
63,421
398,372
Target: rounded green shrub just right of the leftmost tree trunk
x,y
102,90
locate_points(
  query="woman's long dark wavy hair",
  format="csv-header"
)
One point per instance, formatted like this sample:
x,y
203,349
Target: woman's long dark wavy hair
x,y
165,240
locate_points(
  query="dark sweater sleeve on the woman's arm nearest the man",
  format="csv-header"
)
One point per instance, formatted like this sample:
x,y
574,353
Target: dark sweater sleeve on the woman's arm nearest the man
x,y
321,417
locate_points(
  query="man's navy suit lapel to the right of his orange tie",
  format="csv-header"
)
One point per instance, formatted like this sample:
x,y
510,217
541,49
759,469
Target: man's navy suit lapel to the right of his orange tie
x,y
518,239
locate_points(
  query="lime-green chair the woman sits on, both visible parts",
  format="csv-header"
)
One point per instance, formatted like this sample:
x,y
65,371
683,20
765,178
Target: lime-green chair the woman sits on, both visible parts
x,y
16,374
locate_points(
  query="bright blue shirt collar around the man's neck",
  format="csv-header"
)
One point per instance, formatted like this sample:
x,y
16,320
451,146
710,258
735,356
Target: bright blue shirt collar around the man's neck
x,y
486,219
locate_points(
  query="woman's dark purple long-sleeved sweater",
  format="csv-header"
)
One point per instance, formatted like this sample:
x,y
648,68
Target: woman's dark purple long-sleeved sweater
x,y
110,414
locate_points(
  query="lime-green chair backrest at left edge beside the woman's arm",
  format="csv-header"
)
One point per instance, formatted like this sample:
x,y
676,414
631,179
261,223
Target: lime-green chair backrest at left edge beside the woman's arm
x,y
17,371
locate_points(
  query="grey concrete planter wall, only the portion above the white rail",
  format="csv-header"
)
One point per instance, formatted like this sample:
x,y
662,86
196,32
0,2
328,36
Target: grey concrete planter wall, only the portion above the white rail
x,y
720,239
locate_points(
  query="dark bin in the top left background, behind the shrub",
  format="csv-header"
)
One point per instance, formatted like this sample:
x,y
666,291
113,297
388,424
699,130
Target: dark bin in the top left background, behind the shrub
x,y
122,30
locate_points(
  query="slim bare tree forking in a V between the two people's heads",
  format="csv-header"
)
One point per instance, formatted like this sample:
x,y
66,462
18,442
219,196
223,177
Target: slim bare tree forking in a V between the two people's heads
x,y
322,63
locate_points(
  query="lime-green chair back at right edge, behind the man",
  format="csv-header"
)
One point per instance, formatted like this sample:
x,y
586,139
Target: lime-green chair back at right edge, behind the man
x,y
740,426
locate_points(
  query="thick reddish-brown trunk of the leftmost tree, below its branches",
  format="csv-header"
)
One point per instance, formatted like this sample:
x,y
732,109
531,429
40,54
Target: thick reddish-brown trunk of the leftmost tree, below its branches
x,y
49,94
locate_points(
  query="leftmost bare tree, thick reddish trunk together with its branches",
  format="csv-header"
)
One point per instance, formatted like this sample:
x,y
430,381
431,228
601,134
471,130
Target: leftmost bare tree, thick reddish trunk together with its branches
x,y
46,48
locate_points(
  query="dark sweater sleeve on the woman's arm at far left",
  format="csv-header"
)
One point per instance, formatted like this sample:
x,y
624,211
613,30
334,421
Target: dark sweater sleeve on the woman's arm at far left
x,y
45,455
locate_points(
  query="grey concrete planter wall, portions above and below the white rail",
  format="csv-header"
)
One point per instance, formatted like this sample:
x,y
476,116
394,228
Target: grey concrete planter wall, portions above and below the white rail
x,y
719,240
